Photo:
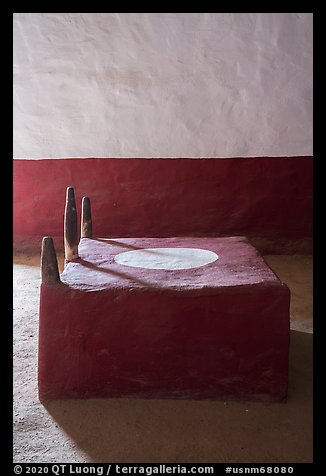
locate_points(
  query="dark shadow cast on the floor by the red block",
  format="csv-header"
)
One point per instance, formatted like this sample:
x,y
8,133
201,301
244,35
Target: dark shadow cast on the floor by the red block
x,y
154,431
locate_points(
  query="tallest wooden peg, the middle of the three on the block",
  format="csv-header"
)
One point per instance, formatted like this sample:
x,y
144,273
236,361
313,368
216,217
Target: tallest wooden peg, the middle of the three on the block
x,y
70,226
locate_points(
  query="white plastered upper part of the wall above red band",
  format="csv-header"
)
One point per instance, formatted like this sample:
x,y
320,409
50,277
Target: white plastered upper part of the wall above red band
x,y
162,84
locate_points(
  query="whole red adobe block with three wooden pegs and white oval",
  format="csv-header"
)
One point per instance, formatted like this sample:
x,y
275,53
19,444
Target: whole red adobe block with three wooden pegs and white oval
x,y
179,317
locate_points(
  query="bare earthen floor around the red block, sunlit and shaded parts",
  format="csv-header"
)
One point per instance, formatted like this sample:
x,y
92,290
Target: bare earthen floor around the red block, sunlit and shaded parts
x,y
154,431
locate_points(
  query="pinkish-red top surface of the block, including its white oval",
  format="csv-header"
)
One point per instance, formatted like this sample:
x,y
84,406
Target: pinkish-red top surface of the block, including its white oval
x,y
177,263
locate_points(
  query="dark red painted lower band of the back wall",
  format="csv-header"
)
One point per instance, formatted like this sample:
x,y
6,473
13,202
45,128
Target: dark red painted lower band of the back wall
x,y
269,198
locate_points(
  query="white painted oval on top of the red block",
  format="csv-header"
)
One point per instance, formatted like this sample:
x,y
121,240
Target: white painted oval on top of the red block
x,y
166,258
